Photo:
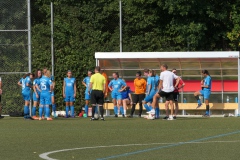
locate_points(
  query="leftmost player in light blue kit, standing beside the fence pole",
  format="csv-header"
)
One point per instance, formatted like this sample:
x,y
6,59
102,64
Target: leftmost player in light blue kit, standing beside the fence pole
x,y
25,83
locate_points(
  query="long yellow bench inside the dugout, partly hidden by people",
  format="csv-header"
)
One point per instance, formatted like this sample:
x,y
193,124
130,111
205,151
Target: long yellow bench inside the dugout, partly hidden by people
x,y
185,106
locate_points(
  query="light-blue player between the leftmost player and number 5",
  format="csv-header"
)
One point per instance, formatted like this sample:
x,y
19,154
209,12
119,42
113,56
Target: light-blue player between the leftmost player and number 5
x,y
36,92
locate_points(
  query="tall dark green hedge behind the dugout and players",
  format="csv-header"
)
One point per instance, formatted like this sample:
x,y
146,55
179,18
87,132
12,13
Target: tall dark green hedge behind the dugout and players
x,y
84,27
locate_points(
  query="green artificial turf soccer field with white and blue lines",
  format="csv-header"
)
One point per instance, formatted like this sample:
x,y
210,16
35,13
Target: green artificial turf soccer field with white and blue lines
x,y
120,138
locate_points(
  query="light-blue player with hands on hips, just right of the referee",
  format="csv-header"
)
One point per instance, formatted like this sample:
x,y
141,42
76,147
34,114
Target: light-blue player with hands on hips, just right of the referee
x,y
116,86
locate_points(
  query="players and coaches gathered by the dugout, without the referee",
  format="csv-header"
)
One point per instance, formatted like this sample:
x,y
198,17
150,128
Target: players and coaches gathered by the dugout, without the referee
x,y
147,93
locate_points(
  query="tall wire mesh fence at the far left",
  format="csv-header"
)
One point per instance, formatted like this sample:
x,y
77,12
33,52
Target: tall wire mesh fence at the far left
x,y
14,47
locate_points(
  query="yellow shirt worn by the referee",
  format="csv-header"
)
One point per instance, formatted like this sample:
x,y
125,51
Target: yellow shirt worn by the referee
x,y
98,81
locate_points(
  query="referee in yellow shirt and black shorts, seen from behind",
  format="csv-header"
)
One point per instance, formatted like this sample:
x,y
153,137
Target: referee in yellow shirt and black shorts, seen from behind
x,y
97,85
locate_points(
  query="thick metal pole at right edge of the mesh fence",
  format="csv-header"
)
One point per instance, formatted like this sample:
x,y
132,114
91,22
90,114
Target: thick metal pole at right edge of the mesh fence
x,y
29,47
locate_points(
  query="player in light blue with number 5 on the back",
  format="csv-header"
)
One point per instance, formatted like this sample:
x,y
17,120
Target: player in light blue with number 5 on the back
x,y
45,97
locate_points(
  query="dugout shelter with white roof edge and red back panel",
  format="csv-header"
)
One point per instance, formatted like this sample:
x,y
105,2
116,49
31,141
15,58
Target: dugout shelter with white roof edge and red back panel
x,y
223,67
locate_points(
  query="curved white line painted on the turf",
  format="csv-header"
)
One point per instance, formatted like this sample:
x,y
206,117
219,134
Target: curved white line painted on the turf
x,y
46,157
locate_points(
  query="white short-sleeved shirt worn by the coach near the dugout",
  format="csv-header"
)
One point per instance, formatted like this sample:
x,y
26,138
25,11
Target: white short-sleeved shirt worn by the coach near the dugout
x,y
167,77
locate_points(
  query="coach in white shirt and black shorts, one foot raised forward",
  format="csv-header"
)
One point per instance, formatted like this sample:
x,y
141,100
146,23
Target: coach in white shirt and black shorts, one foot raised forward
x,y
165,89
